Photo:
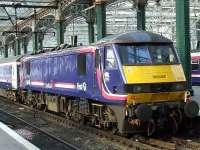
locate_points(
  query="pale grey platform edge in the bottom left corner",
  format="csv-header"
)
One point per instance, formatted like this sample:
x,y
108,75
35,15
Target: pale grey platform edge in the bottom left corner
x,y
10,140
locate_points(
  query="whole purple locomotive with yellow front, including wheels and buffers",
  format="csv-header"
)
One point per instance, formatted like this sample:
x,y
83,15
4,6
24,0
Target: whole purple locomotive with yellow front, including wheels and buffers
x,y
130,82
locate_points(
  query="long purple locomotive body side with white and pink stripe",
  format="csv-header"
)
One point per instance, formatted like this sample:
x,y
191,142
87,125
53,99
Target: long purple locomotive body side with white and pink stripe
x,y
70,73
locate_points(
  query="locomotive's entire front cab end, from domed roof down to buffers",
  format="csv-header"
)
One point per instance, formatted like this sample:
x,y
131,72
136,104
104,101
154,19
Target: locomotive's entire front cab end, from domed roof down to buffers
x,y
145,67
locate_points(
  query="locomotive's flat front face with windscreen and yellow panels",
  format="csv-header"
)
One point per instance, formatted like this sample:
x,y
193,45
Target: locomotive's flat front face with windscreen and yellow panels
x,y
151,69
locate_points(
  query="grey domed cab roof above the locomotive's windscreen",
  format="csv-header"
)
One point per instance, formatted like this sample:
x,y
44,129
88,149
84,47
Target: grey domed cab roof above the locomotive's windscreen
x,y
135,37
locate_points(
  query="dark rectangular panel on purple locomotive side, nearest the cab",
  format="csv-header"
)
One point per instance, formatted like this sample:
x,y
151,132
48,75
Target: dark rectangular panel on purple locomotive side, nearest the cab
x,y
81,64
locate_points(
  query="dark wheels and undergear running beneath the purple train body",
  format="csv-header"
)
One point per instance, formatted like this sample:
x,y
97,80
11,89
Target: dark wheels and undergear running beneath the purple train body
x,y
122,119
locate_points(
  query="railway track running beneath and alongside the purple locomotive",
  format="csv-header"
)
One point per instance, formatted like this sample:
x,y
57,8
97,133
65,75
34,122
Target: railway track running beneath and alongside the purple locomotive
x,y
134,143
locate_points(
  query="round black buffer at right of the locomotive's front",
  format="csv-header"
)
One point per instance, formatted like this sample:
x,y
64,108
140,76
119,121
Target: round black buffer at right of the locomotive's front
x,y
191,109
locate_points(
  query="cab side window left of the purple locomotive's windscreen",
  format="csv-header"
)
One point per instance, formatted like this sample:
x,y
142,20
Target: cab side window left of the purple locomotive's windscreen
x,y
110,61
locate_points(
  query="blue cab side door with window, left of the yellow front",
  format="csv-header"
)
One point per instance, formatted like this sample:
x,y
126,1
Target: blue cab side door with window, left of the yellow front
x,y
111,74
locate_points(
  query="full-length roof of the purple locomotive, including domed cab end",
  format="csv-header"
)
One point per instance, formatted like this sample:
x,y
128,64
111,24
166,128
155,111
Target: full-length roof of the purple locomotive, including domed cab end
x,y
129,37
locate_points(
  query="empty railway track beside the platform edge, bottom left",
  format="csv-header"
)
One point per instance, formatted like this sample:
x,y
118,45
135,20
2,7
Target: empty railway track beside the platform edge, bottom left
x,y
34,134
